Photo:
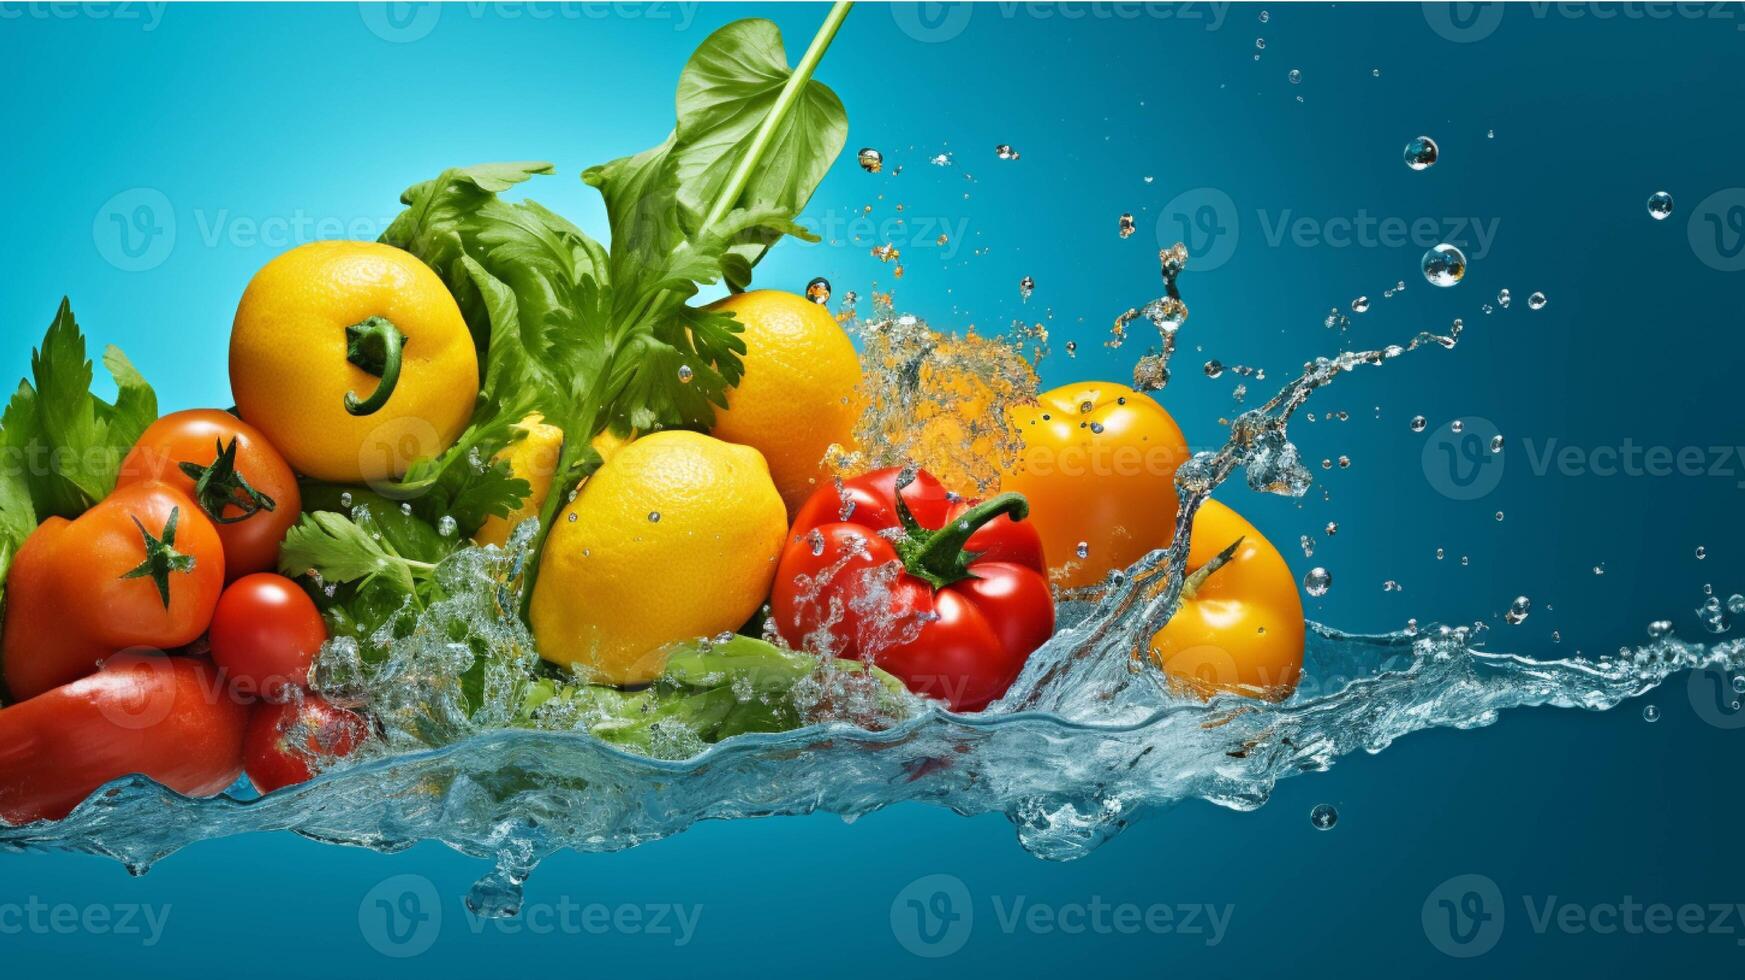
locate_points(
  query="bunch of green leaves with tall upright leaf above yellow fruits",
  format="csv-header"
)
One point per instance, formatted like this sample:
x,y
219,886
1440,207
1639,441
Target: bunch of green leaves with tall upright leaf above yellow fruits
x,y
592,337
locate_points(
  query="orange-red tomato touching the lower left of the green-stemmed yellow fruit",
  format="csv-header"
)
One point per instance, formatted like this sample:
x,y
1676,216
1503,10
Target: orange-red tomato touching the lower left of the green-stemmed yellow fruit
x,y
231,472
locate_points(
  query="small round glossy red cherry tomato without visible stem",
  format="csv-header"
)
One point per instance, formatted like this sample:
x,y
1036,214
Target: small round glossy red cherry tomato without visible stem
x,y
266,636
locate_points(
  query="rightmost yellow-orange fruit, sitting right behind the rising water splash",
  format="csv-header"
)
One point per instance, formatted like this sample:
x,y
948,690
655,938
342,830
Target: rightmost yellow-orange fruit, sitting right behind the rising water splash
x,y
1240,629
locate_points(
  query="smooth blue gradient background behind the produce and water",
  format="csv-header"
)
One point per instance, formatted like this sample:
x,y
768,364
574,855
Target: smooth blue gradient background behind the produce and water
x,y
252,121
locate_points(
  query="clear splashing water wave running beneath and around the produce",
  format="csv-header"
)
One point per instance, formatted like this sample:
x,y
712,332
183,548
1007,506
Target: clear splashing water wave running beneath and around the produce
x,y
1086,742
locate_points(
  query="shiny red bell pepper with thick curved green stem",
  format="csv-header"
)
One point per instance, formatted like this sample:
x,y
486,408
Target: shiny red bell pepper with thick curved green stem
x,y
948,595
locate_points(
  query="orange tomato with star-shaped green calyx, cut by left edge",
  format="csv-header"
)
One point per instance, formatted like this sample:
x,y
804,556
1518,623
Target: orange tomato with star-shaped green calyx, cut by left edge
x,y
142,569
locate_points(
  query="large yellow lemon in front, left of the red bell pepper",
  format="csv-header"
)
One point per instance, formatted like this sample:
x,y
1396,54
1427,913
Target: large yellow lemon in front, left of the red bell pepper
x,y
674,538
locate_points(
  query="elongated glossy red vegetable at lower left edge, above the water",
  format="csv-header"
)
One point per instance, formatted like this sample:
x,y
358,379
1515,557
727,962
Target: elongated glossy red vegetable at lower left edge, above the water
x,y
163,718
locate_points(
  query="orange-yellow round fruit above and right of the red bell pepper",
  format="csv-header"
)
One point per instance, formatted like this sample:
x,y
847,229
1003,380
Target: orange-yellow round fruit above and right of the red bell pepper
x,y
1098,470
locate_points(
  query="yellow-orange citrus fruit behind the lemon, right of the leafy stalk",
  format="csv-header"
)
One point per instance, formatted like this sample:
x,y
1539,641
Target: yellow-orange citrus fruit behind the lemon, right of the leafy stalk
x,y
798,393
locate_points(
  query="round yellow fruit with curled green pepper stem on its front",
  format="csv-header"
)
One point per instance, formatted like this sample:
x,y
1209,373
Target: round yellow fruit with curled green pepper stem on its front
x,y
292,360
